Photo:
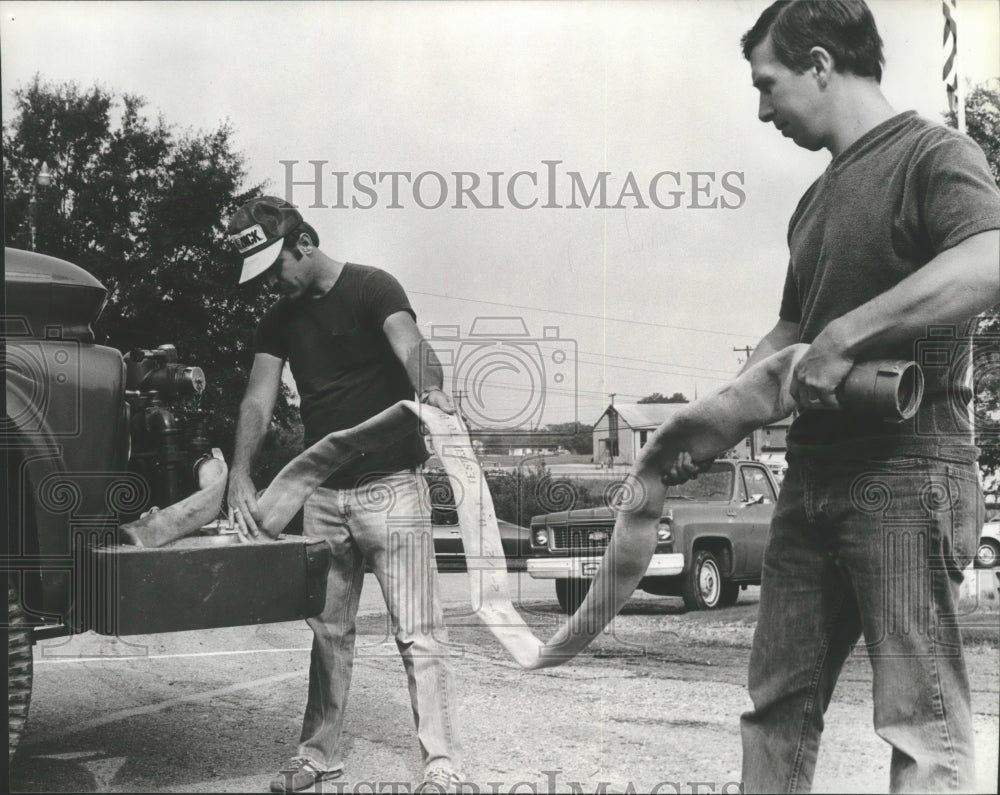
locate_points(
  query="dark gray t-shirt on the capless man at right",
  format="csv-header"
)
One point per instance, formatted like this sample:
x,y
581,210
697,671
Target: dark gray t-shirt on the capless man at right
x,y
897,197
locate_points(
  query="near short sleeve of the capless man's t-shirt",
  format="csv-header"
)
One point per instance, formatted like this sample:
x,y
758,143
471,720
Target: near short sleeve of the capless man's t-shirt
x,y
953,195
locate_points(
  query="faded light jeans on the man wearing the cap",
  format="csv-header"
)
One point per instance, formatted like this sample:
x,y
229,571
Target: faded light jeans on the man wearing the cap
x,y
386,522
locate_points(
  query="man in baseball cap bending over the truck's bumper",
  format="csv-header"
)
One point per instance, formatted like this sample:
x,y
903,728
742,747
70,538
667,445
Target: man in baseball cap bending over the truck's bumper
x,y
350,337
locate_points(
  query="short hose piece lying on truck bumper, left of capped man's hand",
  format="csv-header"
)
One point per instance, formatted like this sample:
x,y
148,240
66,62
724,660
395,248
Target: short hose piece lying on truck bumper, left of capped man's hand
x,y
159,527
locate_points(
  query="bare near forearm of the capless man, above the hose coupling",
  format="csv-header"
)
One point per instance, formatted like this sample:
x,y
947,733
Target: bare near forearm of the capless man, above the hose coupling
x,y
953,287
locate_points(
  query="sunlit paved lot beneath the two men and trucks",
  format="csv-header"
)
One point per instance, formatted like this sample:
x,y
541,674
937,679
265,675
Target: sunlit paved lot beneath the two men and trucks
x,y
657,701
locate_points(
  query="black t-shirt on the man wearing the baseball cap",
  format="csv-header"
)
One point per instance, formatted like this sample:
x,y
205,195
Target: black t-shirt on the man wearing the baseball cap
x,y
343,366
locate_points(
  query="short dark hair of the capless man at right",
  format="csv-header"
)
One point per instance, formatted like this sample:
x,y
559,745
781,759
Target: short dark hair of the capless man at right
x,y
844,28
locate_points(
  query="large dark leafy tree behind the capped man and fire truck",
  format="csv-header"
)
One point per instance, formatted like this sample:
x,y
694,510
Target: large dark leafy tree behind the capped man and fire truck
x,y
141,206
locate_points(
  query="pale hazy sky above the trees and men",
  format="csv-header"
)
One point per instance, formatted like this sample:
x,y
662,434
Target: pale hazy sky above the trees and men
x,y
539,309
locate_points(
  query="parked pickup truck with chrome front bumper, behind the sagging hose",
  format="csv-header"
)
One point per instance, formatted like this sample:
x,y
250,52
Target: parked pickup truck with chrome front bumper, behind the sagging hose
x,y
711,538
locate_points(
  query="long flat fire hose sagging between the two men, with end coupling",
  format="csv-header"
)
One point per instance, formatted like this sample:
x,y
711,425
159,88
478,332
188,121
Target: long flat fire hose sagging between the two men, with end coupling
x,y
703,429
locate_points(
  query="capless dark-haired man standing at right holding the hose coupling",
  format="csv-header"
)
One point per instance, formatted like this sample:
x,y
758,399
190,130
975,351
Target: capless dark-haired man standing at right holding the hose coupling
x,y
896,242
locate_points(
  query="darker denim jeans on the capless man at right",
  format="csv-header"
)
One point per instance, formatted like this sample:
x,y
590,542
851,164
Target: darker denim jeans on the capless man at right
x,y
872,548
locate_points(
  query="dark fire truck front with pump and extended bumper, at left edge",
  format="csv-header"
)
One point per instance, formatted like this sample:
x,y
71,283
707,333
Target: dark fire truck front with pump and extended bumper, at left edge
x,y
91,439
